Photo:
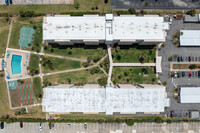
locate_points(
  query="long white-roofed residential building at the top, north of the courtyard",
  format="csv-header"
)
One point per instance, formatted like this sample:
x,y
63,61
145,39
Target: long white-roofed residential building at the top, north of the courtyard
x,y
108,29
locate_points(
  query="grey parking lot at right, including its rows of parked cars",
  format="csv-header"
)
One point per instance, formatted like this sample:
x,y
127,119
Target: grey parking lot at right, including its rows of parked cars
x,y
188,55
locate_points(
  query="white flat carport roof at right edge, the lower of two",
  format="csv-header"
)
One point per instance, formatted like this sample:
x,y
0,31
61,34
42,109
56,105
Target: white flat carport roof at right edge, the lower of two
x,y
190,95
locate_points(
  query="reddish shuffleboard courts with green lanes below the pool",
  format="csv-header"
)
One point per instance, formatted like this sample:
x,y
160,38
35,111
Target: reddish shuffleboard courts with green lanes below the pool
x,y
26,92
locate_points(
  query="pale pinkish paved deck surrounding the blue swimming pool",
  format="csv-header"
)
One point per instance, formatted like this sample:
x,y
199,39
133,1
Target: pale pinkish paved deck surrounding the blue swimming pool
x,y
24,64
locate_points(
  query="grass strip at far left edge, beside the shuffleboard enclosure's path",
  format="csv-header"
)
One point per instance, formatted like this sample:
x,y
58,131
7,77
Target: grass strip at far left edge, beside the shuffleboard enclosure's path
x,y
4,103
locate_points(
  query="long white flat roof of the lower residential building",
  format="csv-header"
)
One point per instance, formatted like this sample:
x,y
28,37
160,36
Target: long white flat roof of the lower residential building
x,y
109,100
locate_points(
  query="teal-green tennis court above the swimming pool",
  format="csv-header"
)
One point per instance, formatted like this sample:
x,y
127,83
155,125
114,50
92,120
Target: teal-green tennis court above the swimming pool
x,y
26,37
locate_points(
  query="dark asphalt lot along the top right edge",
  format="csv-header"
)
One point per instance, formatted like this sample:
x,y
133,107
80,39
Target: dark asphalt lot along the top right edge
x,y
155,4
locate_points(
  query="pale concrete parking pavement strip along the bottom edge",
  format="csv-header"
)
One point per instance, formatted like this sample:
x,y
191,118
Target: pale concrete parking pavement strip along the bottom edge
x,y
104,128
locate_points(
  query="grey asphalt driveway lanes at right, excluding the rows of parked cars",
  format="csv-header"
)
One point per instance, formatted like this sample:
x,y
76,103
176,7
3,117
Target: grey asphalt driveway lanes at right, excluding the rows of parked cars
x,y
170,49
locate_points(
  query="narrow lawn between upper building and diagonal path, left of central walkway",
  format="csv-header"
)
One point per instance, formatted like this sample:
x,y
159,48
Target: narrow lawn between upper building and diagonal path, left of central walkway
x,y
77,52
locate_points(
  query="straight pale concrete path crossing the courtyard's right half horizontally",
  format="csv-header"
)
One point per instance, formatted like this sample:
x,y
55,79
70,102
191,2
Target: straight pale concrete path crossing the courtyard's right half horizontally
x,y
133,64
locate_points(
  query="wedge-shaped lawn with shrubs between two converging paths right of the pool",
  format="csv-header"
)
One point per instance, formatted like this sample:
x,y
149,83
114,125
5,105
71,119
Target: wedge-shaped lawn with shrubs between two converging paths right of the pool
x,y
51,64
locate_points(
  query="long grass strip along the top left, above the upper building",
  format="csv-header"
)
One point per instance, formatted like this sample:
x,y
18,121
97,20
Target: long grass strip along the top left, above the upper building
x,y
85,5
